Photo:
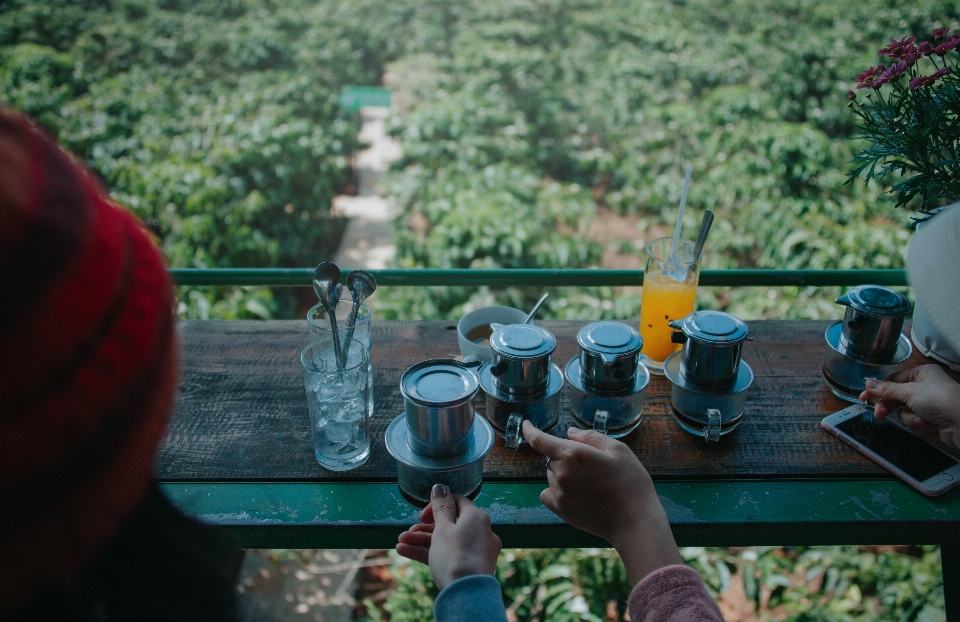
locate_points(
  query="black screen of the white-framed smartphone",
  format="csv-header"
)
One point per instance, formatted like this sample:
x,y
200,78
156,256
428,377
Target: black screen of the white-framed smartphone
x,y
910,454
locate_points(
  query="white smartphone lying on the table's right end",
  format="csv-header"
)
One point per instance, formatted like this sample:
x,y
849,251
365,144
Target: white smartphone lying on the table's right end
x,y
918,463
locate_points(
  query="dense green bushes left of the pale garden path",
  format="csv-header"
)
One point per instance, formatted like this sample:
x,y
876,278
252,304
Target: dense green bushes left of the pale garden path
x,y
216,122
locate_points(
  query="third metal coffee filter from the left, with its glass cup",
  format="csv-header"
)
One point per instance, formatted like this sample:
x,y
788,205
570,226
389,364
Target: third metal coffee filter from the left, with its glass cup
x,y
607,380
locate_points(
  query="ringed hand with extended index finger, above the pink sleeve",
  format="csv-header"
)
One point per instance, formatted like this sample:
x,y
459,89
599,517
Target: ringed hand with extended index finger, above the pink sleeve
x,y
598,485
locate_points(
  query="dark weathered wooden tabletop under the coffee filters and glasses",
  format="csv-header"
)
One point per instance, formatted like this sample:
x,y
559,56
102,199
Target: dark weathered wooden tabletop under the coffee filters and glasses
x,y
241,412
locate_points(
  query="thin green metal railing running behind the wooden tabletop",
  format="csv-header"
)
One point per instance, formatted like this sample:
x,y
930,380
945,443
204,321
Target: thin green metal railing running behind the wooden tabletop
x,y
300,277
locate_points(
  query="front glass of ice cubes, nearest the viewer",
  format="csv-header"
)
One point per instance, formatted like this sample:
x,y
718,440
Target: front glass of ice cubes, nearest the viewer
x,y
338,402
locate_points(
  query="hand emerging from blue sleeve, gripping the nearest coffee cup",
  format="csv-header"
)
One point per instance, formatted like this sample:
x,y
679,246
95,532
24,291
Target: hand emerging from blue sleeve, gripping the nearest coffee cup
x,y
454,538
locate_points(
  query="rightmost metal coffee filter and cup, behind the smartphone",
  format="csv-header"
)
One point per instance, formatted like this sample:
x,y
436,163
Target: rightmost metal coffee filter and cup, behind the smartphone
x,y
868,342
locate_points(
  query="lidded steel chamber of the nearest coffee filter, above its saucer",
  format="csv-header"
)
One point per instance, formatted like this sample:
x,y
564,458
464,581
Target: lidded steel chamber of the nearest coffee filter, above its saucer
x,y
438,405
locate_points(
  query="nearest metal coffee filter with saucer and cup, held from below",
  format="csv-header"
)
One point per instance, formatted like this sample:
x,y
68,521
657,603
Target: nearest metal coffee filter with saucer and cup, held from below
x,y
438,439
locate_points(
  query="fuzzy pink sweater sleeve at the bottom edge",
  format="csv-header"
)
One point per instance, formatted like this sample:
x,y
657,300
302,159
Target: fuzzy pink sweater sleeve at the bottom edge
x,y
672,594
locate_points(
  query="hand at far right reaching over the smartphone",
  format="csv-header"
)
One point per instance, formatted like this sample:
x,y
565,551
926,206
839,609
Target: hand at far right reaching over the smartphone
x,y
928,399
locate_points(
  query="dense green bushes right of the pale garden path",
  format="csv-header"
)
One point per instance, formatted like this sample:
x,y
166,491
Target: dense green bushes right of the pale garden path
x,y
615,97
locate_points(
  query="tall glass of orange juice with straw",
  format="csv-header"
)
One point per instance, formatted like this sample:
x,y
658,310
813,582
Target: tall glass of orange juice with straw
x,y
669,291
